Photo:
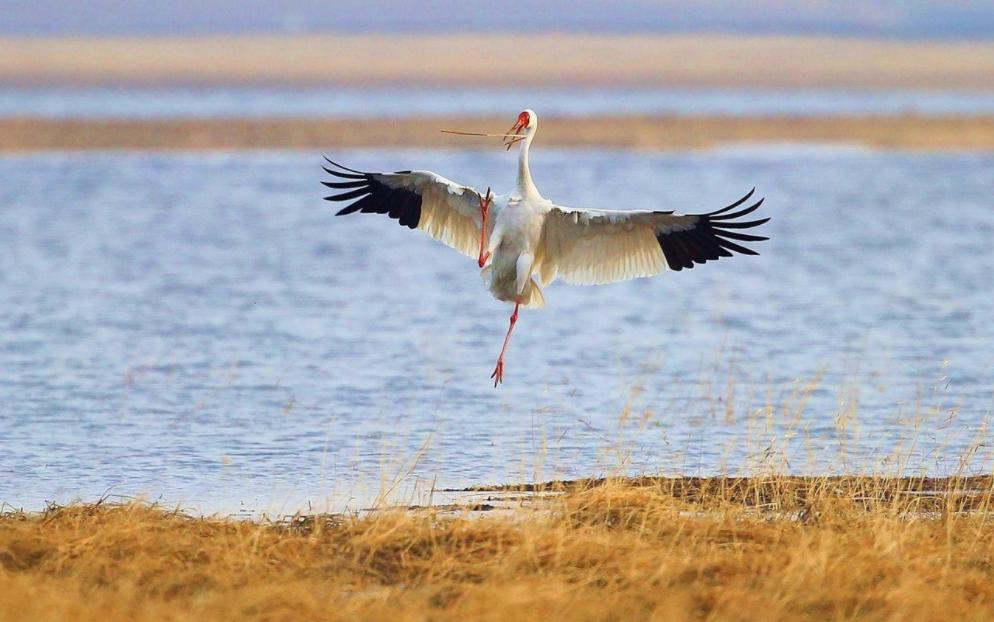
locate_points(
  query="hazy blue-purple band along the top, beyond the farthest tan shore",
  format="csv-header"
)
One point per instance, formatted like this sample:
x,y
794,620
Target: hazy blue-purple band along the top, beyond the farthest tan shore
x,y
919,19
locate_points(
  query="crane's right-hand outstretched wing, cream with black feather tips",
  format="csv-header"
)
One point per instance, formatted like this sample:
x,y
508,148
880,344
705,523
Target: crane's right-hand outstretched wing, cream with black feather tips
x,y
590,247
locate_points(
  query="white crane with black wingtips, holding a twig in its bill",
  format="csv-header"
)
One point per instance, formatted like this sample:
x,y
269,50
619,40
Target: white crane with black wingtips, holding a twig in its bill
x,y
523,241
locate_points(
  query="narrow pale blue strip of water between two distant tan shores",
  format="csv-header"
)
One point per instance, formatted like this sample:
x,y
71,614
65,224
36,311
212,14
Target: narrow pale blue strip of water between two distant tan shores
x,y
409,101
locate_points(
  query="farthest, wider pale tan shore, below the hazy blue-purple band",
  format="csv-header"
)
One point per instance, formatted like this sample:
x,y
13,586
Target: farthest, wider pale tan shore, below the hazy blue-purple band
x,y
483,59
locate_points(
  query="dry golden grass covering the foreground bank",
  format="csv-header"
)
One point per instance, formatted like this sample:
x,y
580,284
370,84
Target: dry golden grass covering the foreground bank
x,y
771,548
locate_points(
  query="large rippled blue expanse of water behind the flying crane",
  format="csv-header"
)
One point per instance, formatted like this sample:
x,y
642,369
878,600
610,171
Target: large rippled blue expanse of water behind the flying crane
x,y
201,329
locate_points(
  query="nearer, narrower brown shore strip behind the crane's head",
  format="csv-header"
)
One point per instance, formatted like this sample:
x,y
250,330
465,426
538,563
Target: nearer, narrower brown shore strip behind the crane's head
x,y
648,133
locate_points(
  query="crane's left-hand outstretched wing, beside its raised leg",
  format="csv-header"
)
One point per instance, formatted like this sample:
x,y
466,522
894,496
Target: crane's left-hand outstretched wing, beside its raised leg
x,y
445,210
